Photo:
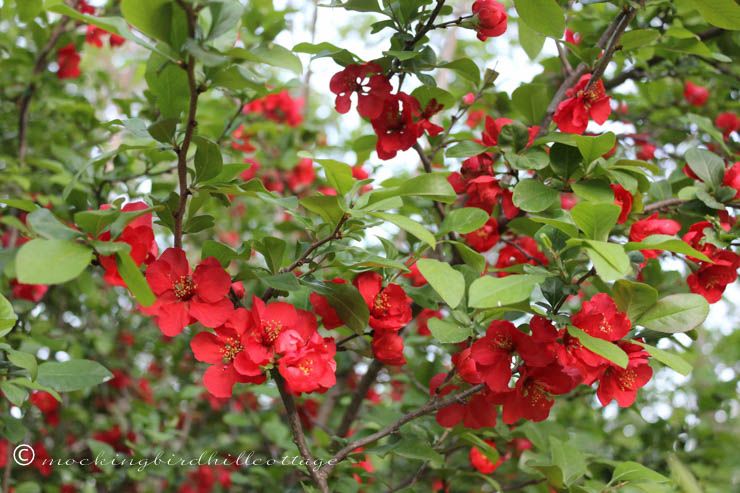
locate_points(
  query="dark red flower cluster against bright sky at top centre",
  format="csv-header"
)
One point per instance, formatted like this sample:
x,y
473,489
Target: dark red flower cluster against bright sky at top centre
x,y
397,119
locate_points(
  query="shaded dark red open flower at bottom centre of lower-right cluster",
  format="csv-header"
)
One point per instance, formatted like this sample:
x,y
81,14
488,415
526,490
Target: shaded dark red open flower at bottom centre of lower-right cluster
x,y
531,398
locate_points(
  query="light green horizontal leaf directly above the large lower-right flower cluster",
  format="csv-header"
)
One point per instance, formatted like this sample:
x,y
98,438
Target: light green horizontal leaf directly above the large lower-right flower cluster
x,y
492,292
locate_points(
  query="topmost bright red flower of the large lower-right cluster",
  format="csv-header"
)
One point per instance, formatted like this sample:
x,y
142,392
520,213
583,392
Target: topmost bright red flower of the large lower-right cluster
x,y
599,318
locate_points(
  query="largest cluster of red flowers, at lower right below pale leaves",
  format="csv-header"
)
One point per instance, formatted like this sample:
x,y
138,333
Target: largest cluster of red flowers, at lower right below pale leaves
x,y
552,363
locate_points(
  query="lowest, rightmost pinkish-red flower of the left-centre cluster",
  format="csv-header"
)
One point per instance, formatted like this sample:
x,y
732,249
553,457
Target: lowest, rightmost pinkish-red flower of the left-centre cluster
x,y
312,367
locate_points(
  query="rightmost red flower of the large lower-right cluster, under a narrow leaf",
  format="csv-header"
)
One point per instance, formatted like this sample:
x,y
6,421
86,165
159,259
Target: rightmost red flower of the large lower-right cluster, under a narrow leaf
x,y
622,383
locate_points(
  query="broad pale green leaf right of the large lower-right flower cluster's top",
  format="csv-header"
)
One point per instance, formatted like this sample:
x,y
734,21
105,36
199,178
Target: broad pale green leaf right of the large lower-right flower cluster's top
x,y
675,313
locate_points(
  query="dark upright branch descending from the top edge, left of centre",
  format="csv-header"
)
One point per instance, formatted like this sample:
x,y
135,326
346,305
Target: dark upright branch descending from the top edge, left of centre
x,y
182,150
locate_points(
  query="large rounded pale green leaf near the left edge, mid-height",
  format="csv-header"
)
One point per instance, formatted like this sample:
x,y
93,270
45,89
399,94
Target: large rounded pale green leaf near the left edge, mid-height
x,y
51,261
